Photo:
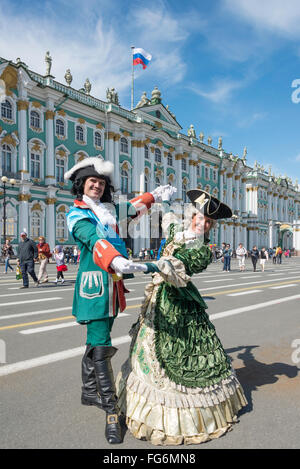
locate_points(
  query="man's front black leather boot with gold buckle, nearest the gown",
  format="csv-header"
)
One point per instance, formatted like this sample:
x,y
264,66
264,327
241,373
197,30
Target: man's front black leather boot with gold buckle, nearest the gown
x,y
107,390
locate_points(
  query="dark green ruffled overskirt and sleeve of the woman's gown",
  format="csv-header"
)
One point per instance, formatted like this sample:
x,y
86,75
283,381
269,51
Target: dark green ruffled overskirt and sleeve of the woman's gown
x,y
186,344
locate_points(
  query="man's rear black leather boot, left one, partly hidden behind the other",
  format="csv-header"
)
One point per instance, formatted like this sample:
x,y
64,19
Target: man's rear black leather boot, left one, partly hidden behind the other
x,y
89,395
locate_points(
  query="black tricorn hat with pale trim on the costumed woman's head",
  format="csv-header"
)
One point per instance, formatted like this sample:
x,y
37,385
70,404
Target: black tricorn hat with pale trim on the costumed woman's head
x,y
211,206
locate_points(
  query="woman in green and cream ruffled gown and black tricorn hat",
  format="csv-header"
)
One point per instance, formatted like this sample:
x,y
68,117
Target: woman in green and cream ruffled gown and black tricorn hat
x,y
178,386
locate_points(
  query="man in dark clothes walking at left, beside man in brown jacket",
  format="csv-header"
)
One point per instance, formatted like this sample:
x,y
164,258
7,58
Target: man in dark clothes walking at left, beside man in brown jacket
x,y
27,254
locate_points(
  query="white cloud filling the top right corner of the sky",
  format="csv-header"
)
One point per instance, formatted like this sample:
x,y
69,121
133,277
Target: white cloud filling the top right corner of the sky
x,y
277,16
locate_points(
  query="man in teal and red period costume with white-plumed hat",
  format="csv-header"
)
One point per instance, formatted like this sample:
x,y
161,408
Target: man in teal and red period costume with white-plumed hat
x,y
99,289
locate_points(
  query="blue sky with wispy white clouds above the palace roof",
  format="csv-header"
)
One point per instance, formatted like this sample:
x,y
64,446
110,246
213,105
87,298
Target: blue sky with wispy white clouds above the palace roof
x,y
225,66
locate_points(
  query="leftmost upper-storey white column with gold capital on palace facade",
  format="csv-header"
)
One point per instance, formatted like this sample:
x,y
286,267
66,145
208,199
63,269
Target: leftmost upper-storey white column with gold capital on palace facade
x,y
22,130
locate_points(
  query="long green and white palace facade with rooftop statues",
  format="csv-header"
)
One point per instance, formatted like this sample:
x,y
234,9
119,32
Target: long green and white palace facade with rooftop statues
x,y
46,127
